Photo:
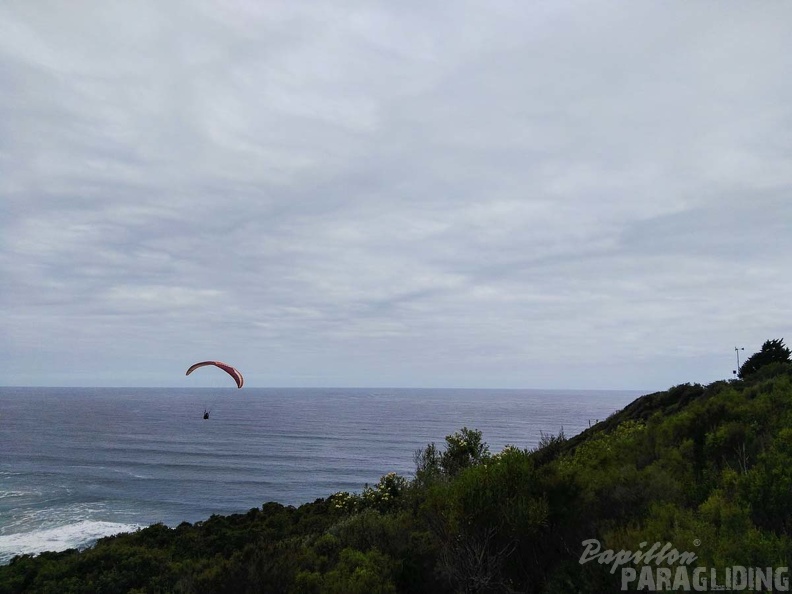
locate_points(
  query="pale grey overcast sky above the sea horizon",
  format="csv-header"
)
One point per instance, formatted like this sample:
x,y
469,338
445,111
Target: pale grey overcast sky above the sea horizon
x,y
504,194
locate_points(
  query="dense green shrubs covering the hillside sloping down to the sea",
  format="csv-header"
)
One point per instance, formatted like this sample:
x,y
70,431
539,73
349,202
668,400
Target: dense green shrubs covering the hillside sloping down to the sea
x,y
705,468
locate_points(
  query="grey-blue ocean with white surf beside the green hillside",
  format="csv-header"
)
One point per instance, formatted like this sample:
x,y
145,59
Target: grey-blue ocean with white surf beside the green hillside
x,y
77,464
